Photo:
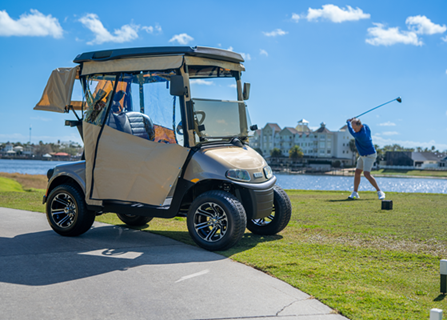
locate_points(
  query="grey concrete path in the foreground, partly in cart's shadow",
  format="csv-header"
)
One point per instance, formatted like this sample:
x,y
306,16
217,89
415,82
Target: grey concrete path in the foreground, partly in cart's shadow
x,y
115,273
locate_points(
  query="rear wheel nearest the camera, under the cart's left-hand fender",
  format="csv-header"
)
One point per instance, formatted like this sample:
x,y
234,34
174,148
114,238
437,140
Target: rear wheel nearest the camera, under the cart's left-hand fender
x,y
67,211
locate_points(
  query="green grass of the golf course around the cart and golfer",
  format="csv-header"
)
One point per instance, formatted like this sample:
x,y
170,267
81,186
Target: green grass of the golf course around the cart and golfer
x,y
364,262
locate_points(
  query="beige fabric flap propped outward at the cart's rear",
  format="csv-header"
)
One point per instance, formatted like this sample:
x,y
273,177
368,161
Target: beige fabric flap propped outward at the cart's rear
x,y
57,94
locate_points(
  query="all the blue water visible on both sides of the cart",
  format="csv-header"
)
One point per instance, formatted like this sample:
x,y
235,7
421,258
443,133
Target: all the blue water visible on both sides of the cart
x,y
304,182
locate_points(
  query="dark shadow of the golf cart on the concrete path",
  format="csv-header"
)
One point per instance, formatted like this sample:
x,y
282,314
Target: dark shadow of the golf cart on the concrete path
x,y
45,258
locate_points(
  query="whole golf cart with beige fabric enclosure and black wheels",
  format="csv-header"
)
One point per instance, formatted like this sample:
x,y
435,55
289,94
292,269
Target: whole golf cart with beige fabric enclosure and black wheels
x,y
154,147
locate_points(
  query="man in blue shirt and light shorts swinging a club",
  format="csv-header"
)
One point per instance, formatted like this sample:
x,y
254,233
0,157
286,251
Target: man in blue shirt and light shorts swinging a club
x,y
367,156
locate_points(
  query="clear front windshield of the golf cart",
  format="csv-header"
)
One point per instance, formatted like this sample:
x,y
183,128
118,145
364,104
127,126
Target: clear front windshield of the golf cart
x,y
217,112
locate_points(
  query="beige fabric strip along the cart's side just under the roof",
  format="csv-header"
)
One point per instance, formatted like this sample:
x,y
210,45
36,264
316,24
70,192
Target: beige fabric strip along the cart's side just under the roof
x,y
133,64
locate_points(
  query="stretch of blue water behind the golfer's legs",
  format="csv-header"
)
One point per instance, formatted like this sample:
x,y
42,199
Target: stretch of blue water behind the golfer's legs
x,y
321,182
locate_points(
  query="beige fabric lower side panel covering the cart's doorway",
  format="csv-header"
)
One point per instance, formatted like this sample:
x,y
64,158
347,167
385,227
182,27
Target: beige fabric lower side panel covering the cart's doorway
x,y
130,168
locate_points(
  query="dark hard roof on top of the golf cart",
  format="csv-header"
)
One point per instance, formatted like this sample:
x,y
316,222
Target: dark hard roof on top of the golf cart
x,y
204,52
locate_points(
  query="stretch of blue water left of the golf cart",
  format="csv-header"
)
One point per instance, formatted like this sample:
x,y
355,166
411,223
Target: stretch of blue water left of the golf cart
x,y
28,166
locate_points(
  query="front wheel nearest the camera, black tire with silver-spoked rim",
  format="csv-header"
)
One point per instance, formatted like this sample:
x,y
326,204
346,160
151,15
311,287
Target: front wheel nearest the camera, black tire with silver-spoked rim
x,y
216,220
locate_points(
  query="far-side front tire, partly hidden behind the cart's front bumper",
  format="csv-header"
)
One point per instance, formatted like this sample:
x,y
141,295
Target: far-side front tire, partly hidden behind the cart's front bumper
x,y
278,219
